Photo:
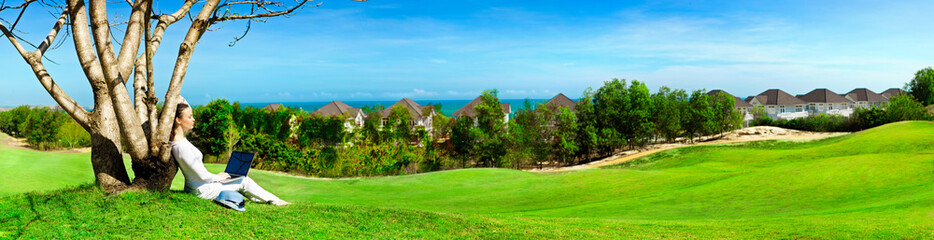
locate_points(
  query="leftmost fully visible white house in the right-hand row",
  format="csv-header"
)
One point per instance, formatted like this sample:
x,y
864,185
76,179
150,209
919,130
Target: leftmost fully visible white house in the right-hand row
x,y
779,105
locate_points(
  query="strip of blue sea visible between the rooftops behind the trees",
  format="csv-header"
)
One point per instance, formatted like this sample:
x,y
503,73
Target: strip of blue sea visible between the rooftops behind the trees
x,y
448,107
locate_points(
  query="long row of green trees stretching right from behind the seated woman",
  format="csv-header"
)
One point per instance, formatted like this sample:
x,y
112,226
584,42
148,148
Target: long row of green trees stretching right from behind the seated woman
x,y
619,115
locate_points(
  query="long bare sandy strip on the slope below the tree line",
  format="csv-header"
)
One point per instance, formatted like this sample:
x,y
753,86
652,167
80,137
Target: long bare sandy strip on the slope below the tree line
x,y
750,134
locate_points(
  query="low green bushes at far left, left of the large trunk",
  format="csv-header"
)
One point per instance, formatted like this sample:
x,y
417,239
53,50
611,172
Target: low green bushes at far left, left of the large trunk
x,y
44,128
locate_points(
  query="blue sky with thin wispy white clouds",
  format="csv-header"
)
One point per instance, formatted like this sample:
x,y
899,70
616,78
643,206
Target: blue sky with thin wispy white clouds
x,y
452,50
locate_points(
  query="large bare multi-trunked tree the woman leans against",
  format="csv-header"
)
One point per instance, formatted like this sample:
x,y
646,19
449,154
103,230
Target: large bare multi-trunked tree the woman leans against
x,y
116,118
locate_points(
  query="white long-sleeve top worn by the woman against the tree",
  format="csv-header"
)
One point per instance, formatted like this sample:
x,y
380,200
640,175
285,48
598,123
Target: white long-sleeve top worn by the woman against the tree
x,y
197,178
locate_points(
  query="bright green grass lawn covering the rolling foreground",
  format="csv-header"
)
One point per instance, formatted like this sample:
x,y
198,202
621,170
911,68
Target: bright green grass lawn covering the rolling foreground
x,y
874,184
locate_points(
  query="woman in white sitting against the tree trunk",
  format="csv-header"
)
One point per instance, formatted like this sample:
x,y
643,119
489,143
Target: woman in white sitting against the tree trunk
x,y
198,180
